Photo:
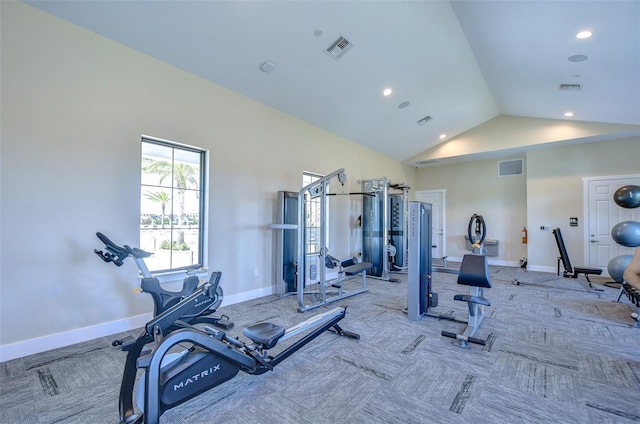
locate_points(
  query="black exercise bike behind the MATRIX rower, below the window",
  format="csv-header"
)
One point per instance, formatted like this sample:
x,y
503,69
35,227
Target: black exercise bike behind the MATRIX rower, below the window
x,y
164,299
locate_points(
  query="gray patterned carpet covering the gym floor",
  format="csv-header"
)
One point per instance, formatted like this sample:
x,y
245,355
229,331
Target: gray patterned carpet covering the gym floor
x,y
555,353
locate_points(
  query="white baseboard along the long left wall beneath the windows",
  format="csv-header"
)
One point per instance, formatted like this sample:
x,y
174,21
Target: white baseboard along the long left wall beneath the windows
x,y
67,338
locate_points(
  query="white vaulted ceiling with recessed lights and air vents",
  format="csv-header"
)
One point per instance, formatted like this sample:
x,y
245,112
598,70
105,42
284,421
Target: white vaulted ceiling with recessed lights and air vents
x,y
460,62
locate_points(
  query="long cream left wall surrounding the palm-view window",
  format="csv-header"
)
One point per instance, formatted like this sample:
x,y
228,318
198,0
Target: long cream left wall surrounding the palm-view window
x,y
74,106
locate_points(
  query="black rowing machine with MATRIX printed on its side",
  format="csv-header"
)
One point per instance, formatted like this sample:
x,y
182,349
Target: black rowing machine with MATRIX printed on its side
x,y
210,358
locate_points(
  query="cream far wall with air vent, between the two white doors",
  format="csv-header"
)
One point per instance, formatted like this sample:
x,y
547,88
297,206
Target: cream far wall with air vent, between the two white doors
x,y
548,194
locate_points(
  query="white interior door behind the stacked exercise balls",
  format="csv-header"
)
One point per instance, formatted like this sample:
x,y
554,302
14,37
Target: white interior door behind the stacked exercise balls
x,y
602,214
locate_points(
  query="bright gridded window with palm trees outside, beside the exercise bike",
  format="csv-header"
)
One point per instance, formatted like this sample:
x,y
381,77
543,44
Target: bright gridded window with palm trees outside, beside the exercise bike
x,y
172,205
